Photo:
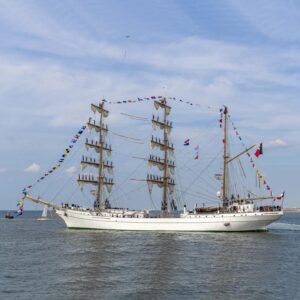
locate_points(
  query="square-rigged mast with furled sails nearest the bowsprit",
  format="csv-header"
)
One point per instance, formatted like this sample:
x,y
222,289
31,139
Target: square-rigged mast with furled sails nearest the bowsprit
x,y
101,163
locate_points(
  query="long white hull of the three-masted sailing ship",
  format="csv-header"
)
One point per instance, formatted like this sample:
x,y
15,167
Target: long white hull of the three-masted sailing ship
x,y
201,222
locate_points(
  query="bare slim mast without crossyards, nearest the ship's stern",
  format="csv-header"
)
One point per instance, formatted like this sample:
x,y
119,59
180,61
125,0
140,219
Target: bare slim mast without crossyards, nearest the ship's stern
x,y
225,158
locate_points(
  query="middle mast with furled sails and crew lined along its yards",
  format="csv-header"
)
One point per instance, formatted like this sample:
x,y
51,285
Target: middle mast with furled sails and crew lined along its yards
x,y
164,164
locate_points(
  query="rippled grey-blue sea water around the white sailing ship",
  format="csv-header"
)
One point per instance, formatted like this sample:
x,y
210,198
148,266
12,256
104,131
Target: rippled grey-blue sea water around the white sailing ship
x,y
44,260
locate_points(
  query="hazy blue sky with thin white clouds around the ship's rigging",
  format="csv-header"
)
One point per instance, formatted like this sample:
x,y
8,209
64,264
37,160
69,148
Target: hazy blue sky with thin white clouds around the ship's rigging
x,y
56,57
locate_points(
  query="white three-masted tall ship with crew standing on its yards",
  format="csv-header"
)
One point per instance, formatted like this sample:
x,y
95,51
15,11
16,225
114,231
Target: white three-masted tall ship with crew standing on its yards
x,y
233,213
